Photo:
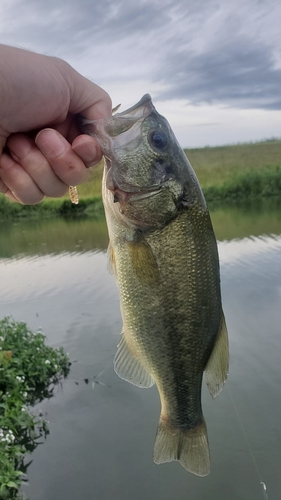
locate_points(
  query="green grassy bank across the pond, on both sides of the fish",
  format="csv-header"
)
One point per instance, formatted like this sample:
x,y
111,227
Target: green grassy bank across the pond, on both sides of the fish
x,y
226,174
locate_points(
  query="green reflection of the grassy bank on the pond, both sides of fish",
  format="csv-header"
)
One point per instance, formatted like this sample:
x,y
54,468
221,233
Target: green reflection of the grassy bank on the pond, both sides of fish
x,y
44,237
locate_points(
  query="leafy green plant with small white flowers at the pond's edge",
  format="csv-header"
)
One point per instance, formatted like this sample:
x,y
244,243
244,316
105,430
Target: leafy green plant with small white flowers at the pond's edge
x,y
29,371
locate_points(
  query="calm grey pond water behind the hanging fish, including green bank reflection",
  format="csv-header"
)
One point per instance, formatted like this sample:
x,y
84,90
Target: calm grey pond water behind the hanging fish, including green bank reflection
x,y
54,275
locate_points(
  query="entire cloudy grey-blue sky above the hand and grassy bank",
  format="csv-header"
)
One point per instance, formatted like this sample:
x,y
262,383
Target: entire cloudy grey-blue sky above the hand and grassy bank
x,y
212,67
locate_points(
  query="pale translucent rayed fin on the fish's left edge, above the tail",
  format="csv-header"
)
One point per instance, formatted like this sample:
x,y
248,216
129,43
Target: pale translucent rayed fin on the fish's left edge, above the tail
x,y
129,368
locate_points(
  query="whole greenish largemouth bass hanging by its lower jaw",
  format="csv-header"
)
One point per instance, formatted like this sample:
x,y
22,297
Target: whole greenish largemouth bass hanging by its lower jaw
x,y
163,252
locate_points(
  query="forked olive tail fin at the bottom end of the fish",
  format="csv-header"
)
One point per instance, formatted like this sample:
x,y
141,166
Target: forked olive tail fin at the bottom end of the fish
x,y
189,447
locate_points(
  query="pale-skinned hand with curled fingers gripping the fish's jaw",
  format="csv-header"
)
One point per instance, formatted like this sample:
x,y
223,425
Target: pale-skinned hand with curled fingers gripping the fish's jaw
x,y
42,151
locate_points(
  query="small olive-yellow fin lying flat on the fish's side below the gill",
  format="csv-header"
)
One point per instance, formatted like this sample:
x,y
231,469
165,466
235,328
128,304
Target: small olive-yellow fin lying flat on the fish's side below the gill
x,y
143,261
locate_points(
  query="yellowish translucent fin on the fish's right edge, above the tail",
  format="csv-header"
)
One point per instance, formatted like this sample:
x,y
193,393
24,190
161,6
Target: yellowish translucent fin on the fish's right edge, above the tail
x,y
216,370
